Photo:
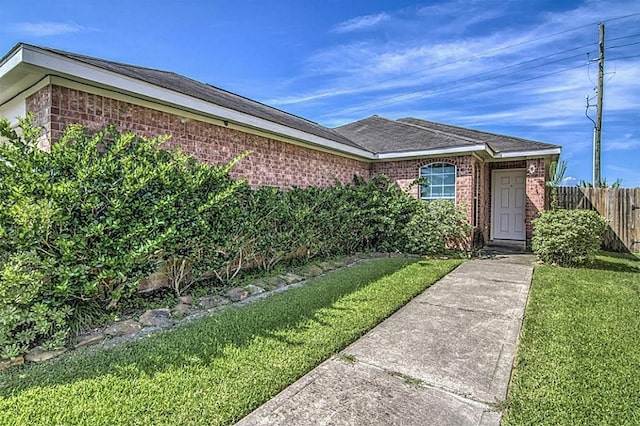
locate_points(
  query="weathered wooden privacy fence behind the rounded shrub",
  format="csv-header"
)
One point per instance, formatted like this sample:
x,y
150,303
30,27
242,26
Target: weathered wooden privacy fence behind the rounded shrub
x,y
621,206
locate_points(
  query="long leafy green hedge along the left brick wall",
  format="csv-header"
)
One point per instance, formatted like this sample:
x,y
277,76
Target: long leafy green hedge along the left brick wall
x,y
82,225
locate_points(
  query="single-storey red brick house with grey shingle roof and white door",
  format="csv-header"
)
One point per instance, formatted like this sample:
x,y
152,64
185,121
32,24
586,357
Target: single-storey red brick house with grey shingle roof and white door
x,y
500,180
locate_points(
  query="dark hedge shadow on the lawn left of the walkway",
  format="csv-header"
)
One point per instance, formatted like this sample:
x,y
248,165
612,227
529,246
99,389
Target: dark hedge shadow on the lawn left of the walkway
x,y
202,341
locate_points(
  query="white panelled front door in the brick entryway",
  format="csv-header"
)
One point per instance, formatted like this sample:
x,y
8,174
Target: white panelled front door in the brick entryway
x,y
508,204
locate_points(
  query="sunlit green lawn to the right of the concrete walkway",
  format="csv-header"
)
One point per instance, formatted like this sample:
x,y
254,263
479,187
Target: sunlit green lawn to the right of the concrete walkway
x,y
579,353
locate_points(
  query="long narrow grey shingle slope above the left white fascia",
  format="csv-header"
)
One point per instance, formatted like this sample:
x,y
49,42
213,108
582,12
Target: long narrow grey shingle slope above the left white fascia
x,y
206,92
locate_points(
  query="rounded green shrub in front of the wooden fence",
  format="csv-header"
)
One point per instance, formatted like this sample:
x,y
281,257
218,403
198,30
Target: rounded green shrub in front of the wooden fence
x,y
568,237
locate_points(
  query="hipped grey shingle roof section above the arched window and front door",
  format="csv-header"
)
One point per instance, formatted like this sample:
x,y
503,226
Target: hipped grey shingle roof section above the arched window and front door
x,y
382,135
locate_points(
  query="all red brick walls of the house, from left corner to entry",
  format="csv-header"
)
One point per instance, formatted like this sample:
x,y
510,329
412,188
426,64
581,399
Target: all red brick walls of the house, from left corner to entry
x,y
272,162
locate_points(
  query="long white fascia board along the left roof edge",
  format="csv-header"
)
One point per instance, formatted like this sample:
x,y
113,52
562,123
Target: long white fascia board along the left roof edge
x,y
94,74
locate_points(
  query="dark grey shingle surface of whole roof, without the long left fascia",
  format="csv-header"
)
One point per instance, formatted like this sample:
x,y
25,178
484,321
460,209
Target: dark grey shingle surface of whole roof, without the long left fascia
x,y
375,134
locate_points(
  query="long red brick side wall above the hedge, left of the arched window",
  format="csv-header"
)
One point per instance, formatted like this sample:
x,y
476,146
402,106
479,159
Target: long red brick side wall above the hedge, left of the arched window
x,y
272,162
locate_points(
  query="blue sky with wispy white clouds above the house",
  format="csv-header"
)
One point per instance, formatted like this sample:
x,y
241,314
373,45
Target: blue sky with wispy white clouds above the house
x,y
515,67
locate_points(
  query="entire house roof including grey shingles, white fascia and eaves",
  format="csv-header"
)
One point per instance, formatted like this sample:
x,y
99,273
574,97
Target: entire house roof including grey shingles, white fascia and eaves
x,y
373,138
